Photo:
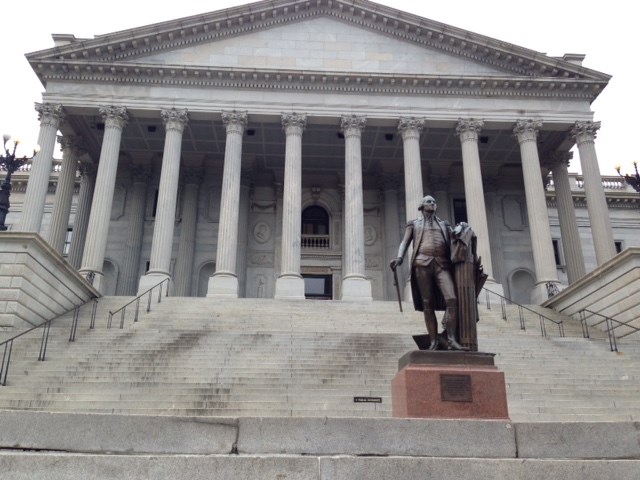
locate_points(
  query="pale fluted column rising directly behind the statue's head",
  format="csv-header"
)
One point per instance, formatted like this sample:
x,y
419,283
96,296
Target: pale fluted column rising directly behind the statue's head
x,y
410,128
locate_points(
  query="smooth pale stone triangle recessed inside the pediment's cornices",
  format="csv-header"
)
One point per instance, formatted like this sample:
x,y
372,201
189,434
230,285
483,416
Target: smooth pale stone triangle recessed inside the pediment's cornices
x,y
322,44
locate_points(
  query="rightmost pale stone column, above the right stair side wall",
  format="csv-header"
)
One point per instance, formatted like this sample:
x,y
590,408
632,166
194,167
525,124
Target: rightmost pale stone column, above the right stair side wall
x,y
585,133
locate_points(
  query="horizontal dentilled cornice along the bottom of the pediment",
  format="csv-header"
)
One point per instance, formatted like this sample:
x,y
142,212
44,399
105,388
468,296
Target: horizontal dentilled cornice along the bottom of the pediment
x,y
346,82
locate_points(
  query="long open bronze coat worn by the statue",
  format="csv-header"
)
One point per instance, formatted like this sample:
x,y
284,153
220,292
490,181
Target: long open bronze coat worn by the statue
x,y
413,233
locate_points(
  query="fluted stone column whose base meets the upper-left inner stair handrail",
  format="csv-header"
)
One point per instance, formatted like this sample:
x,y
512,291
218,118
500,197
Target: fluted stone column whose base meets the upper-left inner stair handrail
x,y
162,243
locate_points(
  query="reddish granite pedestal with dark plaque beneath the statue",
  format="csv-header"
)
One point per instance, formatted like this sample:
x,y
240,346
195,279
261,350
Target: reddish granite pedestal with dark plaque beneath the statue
x,y
449,384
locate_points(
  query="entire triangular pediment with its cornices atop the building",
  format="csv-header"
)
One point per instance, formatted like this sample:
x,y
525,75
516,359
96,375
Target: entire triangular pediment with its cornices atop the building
x,y
302,40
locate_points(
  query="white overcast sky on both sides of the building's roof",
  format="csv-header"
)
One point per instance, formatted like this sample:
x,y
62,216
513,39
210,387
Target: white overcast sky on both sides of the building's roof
x,y
601,30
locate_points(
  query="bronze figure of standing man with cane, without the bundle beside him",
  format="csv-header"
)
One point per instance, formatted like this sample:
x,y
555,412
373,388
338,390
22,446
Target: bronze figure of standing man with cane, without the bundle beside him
x,y
432,283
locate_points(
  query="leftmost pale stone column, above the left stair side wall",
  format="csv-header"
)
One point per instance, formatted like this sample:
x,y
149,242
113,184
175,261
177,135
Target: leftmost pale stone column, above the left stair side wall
x,y
51,117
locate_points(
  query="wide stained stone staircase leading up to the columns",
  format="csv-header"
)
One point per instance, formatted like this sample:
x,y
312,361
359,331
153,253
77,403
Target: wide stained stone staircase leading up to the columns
x,y
248,357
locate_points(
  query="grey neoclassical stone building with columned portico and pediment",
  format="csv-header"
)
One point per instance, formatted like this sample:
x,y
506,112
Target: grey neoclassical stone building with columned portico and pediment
x,y
277,149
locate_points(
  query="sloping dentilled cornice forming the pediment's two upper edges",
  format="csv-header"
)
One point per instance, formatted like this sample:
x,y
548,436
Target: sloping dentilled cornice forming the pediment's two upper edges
x,y
108,50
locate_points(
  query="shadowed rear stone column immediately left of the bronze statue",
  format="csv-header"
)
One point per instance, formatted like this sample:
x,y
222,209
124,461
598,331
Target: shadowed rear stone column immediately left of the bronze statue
x,y
389,186
